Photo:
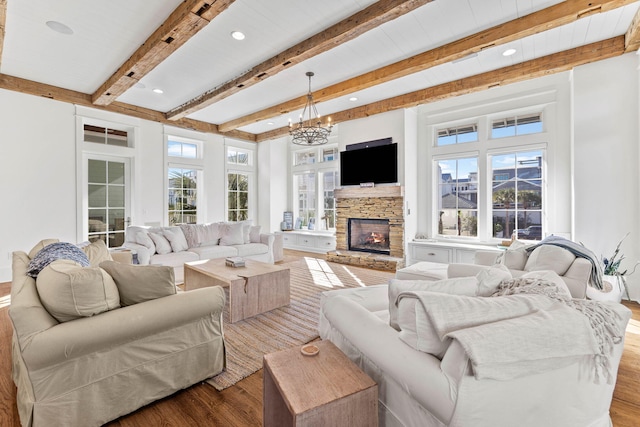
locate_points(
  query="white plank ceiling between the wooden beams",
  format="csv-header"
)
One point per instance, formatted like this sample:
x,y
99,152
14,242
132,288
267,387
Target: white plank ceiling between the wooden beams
x,y
107,33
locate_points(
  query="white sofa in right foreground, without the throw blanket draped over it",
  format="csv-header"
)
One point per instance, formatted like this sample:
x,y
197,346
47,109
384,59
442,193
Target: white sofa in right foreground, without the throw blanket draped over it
x,y
417,388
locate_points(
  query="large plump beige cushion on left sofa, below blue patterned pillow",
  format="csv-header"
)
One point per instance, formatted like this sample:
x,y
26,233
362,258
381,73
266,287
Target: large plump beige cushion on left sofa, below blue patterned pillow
x,y
69,291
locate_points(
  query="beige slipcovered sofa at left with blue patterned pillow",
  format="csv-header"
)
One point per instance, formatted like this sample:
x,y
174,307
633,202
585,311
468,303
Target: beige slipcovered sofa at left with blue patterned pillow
x,y
92,342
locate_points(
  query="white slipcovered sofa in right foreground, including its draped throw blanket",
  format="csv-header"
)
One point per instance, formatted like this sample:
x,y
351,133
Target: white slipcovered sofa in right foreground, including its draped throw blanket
x,y
428,376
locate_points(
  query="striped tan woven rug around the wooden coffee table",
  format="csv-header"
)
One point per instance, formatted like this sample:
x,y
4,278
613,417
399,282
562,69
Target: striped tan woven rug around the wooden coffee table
x,y
296,324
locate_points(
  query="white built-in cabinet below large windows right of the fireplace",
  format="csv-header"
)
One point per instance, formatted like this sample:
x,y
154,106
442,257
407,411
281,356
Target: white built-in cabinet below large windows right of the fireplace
x,y
444,252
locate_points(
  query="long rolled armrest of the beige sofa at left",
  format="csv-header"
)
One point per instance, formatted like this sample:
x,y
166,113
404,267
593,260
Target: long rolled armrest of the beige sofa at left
x,y
84,336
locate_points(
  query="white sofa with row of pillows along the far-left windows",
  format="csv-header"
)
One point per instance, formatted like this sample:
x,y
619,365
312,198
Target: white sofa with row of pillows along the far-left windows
x,y
174,245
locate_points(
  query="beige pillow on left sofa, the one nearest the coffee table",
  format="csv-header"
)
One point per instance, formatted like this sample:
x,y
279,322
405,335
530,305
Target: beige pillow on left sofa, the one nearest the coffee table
x,y
139,283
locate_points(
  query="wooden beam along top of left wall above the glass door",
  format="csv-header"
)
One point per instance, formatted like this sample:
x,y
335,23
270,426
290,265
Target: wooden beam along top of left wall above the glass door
x,y
30,87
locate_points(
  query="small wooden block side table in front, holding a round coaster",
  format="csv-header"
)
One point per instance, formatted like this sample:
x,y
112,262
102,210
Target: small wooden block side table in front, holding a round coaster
x,y
327,389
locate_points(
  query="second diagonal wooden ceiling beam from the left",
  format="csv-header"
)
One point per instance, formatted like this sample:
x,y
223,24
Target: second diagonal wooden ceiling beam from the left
x,y
348,29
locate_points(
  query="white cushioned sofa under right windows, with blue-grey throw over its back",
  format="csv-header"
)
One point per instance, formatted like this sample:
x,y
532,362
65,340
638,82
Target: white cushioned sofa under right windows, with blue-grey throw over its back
x,y
575,271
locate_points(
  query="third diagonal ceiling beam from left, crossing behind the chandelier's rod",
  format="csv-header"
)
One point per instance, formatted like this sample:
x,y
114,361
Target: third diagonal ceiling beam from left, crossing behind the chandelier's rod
x,y
560,14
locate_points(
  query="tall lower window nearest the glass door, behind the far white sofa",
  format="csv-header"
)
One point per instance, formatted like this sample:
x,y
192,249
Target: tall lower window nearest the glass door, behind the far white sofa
x,y
183,196
